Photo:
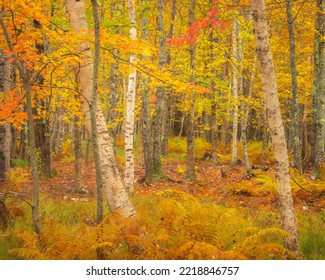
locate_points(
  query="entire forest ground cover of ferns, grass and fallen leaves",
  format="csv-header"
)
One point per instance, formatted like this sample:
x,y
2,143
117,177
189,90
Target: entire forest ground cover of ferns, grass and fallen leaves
x,y
223,214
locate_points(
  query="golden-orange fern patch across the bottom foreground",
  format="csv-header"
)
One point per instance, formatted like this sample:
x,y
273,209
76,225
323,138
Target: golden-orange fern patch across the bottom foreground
x,y
170,225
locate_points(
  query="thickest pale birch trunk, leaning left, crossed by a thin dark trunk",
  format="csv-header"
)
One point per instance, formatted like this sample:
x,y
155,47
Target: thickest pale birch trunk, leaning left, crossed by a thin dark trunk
x,y
113,187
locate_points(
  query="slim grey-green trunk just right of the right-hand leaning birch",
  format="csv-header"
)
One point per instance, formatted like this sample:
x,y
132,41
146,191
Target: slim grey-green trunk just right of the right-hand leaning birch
x,y
295,110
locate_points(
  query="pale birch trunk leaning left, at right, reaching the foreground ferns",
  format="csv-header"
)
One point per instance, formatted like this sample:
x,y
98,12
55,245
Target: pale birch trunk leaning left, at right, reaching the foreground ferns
x,y
275,124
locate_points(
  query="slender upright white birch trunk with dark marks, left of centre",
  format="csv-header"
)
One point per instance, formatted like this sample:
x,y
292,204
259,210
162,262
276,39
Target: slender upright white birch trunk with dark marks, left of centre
x,y
130,107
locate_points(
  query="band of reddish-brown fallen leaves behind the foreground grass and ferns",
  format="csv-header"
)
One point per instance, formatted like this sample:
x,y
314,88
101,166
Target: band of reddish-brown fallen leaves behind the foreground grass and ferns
x,y
225,185
